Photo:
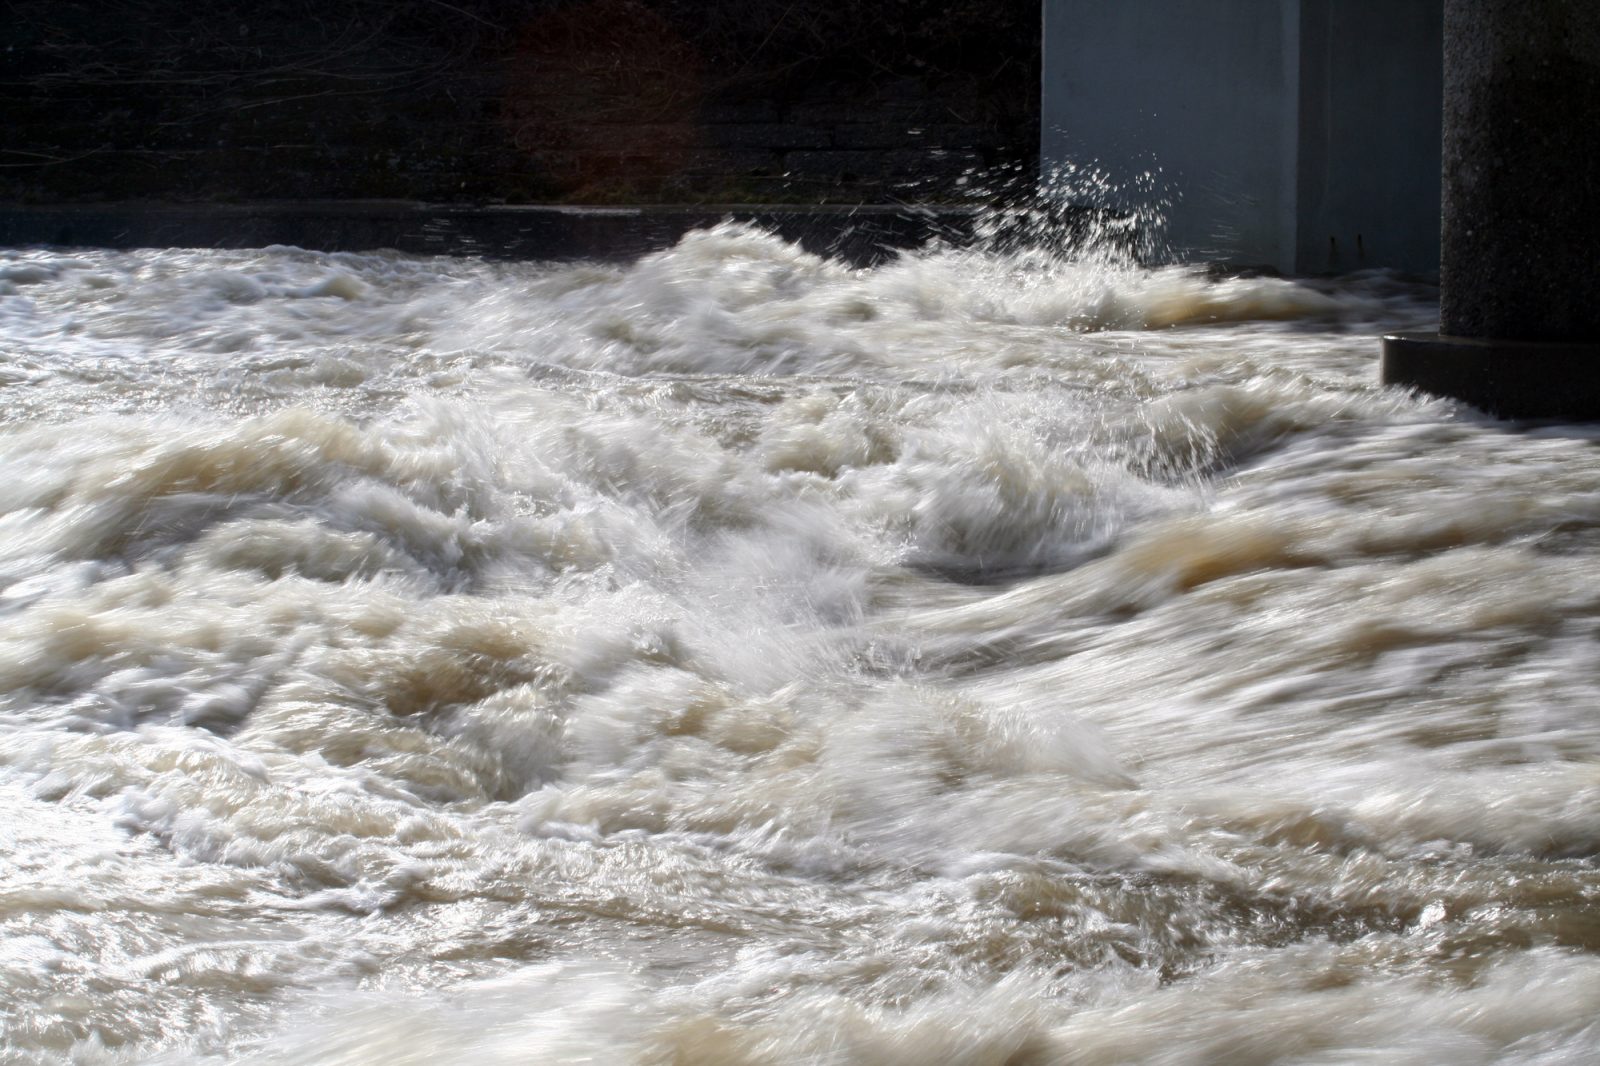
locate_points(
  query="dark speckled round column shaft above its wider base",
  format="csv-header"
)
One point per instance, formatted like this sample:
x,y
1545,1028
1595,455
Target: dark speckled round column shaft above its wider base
x,y
1522,170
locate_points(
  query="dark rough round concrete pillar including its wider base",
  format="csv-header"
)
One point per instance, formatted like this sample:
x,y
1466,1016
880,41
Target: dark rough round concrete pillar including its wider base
x,y
1521,255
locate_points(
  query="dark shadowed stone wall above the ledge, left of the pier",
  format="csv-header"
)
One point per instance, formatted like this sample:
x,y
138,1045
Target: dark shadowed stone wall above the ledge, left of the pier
x,y
518,102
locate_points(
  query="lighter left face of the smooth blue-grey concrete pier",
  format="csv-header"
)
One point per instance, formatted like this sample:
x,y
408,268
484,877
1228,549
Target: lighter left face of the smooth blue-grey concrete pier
x,y
1193,89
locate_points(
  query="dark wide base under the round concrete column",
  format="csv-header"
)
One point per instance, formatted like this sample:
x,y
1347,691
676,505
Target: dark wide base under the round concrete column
x,y
1505,379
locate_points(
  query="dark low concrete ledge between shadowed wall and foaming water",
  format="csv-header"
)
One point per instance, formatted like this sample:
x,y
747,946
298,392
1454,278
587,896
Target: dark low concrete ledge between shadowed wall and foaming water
x,y
858,234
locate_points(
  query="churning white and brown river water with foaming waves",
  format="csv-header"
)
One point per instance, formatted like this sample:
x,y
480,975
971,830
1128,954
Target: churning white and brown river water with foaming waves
x,y
738,657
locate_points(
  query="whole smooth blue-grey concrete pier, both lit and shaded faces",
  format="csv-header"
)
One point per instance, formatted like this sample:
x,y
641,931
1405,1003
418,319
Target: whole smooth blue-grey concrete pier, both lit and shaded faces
x,y
1290,134
